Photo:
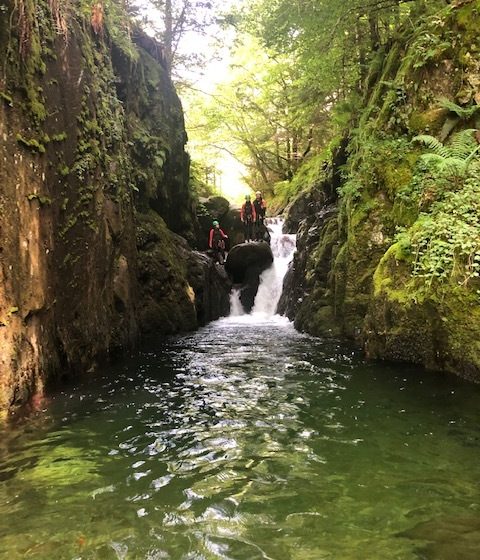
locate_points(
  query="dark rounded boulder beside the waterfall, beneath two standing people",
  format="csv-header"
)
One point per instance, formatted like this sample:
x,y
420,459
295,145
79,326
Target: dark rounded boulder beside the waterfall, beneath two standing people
x,y
245,264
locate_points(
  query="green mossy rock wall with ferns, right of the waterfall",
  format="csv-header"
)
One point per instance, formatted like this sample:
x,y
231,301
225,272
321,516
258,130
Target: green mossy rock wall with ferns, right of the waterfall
x,y
398,268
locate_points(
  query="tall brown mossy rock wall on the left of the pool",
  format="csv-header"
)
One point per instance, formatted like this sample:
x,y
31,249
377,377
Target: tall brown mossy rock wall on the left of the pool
x,y
90,128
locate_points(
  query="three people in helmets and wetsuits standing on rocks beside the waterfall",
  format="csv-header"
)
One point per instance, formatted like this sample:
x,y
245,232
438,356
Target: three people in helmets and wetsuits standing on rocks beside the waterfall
x,y
252,215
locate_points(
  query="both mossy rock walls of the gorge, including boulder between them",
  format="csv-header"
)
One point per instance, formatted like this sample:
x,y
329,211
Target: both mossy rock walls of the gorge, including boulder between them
x,y
103,237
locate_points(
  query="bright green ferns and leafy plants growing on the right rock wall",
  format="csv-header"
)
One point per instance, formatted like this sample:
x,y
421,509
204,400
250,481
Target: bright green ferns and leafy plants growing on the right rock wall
x,y
445,240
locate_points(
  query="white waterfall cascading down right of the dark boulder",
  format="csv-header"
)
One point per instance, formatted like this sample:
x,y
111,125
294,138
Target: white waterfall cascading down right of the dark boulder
x,y
271,280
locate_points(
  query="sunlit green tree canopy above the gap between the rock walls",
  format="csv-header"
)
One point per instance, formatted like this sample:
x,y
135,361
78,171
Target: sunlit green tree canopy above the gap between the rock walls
x,y
299,69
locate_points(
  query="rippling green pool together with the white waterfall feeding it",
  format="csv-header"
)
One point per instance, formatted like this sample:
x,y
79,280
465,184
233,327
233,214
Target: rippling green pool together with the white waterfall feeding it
x,y
246,440
